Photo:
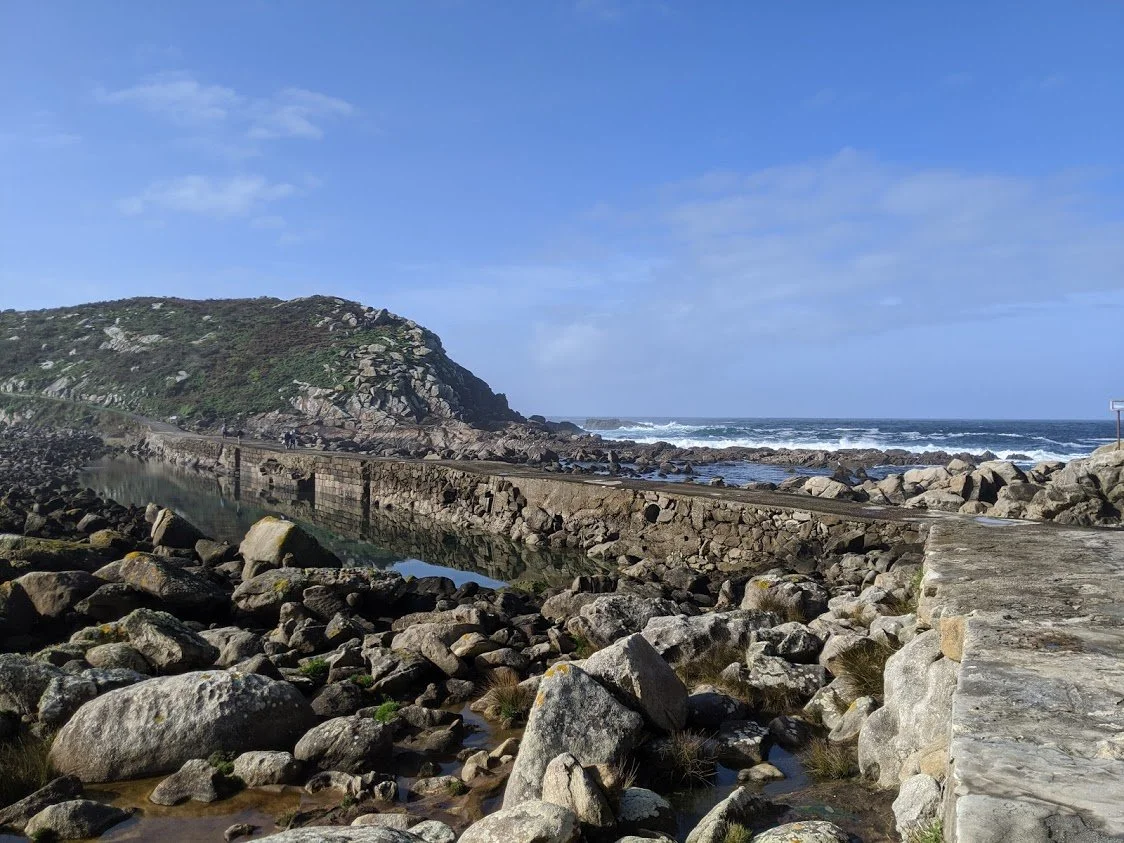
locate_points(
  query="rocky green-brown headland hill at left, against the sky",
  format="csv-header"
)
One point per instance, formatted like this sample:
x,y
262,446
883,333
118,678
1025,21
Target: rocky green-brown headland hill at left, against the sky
x,y
261,362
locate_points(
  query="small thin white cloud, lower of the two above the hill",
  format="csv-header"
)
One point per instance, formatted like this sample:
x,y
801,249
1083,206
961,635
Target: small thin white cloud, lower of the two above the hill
x,y
235,197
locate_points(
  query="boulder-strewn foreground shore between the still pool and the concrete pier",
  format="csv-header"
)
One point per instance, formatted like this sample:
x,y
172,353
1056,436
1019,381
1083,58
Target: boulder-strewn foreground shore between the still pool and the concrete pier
x,y
148,649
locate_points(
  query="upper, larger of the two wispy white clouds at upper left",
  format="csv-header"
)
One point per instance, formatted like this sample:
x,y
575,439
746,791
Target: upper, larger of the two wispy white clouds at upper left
x,y
180,98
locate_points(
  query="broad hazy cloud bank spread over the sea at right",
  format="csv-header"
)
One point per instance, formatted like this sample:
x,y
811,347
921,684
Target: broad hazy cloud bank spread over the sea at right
x,y
738,267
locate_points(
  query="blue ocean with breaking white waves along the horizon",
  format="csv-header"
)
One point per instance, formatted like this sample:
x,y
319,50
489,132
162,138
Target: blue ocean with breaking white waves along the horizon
x,y
1030,441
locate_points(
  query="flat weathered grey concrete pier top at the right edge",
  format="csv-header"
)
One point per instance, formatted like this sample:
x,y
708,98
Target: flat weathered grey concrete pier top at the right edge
x,y
1035,614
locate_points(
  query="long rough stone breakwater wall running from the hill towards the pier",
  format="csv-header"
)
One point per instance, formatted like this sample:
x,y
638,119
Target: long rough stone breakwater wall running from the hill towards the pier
x,y
710,529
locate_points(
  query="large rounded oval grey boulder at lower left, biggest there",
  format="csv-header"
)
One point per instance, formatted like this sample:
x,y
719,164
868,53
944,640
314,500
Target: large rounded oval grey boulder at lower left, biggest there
x,y
157,726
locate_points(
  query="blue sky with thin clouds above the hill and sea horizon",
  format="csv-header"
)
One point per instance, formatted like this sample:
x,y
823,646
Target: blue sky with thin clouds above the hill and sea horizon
x,y
604,206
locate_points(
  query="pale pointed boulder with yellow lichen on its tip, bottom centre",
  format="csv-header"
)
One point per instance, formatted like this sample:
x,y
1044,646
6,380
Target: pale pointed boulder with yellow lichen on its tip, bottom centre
x,y
573,713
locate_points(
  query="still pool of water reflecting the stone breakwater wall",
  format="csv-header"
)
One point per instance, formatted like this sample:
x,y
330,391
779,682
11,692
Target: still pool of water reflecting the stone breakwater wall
x,y
228,506
